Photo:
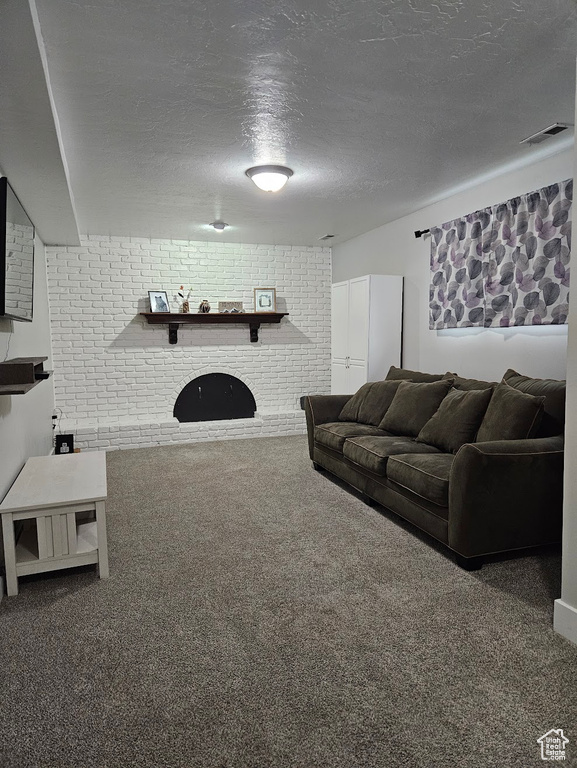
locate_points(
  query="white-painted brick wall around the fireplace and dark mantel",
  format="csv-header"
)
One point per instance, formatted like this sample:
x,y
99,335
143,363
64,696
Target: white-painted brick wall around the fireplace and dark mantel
x,y
116,378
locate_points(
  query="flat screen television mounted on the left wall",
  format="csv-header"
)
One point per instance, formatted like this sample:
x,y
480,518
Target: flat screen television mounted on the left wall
x,y
16,257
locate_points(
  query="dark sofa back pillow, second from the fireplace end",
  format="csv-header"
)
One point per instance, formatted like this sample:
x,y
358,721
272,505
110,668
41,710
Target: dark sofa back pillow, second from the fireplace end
x,y
413,406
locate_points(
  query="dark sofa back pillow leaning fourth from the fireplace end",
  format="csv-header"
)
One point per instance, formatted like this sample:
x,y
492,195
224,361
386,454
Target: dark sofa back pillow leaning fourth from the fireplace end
x,y
510,415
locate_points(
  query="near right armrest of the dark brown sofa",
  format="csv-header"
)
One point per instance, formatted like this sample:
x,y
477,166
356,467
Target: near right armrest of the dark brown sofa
x,y
506,495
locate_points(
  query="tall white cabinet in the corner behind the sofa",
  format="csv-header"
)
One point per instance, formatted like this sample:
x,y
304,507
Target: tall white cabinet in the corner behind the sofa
x,y
366,326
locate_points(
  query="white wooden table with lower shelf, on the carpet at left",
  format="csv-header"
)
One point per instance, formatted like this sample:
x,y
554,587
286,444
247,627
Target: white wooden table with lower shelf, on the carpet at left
x,y
65,497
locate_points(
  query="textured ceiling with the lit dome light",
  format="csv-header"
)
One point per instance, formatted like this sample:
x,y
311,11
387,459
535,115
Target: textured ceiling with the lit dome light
x,y
379,107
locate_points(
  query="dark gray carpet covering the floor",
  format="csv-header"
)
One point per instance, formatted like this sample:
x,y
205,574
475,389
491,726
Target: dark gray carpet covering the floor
x,y
258,614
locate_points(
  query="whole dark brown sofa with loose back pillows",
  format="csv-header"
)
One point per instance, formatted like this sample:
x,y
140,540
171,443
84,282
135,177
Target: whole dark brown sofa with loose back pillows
x,y
477,496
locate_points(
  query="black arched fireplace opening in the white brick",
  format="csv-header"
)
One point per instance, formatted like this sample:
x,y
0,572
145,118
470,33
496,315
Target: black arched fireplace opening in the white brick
x,y
214,396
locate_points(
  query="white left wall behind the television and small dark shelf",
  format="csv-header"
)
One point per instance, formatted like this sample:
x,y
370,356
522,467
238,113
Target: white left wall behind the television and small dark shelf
x,y
26,420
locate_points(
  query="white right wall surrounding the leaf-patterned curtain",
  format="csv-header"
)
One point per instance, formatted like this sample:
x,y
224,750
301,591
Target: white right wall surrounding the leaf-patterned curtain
x,y
481,353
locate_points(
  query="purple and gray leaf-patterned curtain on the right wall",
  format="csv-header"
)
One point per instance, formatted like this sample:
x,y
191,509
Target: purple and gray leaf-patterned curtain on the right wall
x,y
507,265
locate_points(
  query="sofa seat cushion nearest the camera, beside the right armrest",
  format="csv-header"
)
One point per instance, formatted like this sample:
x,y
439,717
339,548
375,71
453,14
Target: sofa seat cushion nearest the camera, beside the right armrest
x,y
425,475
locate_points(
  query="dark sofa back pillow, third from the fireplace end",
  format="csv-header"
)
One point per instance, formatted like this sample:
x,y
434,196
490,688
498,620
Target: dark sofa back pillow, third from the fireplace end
x,y
457,419
